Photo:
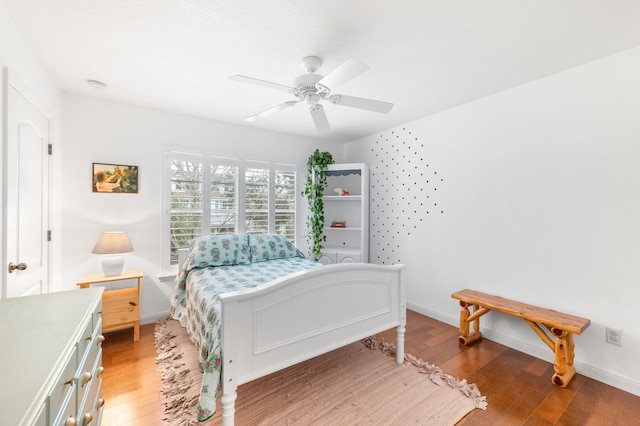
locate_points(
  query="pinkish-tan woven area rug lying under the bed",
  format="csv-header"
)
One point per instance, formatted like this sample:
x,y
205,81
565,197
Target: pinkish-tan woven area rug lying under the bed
x,y
356,384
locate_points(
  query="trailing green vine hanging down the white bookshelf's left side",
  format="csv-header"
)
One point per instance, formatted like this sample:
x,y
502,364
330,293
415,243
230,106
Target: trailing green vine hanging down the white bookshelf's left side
x,y
313,190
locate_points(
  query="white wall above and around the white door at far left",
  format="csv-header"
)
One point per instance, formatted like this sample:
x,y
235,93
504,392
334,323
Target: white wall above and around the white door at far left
x,y
25,68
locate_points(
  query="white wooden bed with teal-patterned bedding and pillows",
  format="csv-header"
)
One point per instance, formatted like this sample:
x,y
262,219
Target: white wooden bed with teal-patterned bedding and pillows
x,y
253,305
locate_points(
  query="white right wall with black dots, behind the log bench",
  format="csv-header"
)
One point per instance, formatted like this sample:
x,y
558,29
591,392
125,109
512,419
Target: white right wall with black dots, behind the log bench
x,y
532,194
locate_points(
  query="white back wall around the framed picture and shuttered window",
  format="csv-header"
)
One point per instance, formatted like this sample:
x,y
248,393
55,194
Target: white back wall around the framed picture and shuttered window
x,y
108,132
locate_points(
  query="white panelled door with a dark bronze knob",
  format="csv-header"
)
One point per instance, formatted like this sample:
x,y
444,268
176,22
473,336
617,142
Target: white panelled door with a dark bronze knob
x,y
27,188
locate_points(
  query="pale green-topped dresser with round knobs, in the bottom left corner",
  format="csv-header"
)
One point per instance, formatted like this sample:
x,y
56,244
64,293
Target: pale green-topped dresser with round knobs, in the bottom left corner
x,y
51,359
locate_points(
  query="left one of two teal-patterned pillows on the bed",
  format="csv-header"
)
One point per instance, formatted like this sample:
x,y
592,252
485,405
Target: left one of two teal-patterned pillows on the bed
x,y
219,250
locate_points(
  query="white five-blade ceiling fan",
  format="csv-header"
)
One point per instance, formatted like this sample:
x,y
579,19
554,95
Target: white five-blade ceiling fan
x,y
313,88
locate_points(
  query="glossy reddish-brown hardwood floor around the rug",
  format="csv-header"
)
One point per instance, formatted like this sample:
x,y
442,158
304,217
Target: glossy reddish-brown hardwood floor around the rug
x,y
517,386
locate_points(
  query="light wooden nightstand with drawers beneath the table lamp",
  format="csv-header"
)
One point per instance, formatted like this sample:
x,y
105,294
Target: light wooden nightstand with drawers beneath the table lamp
x,y
120,307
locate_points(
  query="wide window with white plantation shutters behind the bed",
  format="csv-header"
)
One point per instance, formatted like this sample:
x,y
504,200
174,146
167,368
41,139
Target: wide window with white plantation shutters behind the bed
x,y
212,195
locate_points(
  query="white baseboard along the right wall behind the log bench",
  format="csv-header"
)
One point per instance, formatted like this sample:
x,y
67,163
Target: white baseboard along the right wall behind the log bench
x,y
615,380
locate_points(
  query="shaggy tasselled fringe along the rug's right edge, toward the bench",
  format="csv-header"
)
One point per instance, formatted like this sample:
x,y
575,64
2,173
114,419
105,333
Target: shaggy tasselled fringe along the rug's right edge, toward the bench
x,y
435,374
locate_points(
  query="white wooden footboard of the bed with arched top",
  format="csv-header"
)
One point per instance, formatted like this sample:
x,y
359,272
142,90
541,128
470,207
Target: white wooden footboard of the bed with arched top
x,y
304,315
